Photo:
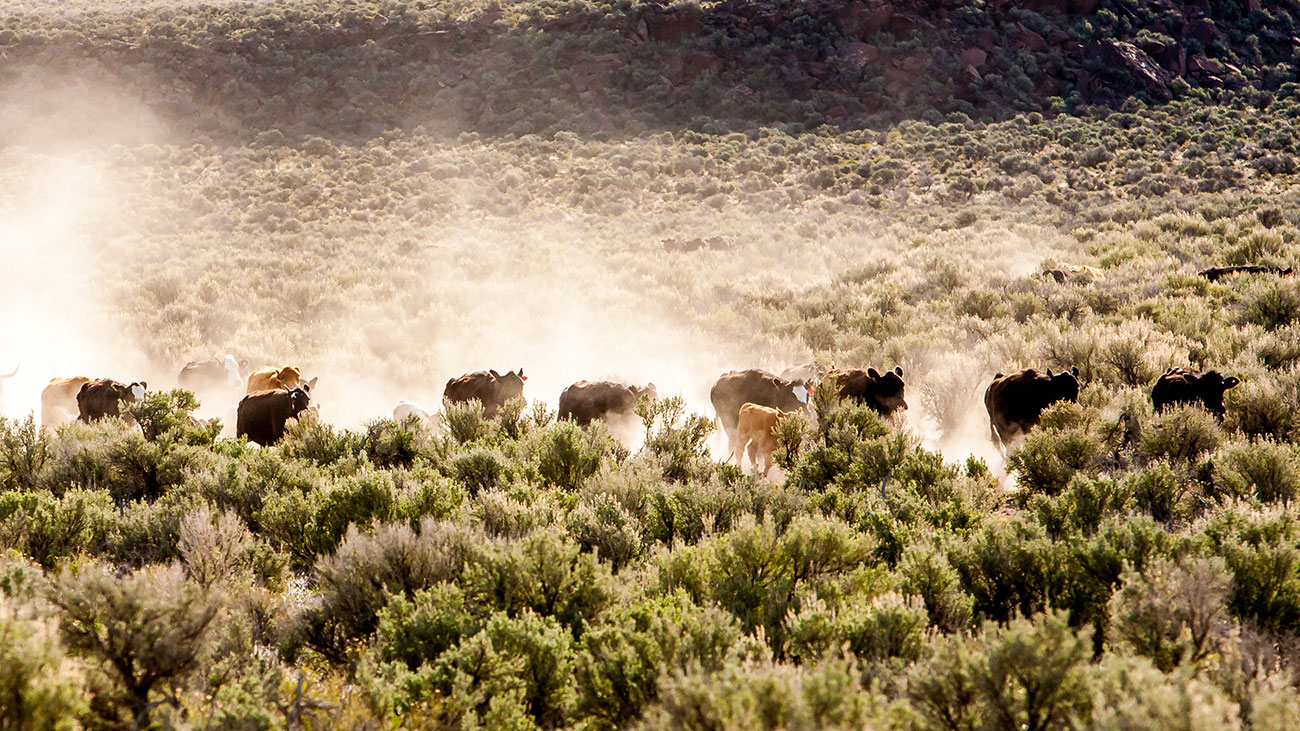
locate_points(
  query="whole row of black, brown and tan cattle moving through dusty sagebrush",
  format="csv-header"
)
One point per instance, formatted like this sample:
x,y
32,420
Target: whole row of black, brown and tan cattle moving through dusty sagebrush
x,y
751,405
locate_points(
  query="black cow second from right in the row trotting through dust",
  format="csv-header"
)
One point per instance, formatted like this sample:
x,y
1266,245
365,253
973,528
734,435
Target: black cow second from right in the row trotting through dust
x,y
1016,401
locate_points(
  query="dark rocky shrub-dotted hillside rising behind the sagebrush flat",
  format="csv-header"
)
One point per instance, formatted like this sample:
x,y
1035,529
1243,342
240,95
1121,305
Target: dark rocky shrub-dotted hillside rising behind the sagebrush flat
x,y
356,70
